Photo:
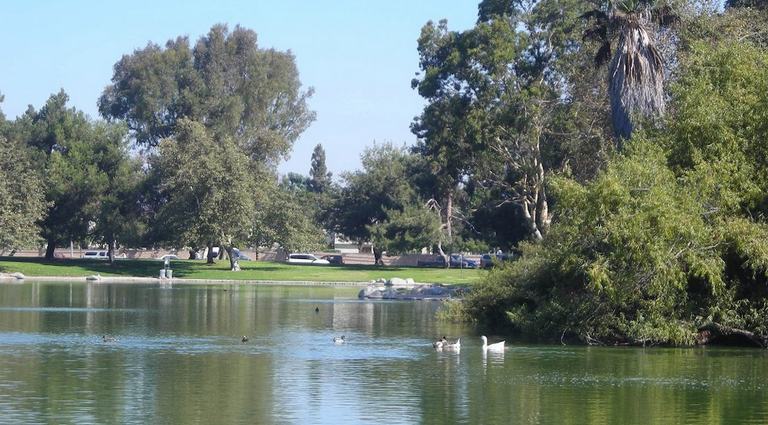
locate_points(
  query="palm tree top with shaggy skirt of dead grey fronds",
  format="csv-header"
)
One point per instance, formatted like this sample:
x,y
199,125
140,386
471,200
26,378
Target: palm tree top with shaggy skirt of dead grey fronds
x,y
635,73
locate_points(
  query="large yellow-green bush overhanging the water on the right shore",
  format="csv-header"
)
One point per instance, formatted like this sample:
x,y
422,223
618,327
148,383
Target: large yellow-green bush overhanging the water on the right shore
x,y
669,244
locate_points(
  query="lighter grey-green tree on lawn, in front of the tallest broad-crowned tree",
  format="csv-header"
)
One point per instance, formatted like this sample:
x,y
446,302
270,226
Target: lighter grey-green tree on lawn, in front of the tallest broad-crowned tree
x,y
208,188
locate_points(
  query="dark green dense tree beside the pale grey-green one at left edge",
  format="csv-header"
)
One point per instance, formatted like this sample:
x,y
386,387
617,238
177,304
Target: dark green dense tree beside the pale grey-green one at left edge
x,y
88,175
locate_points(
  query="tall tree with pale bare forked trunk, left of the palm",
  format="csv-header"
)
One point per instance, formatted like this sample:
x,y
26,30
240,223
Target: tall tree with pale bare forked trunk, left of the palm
x,y
489,96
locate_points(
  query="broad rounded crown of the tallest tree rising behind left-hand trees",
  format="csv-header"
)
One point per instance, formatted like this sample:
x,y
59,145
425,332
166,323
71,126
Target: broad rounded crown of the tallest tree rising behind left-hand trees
x,y
225,82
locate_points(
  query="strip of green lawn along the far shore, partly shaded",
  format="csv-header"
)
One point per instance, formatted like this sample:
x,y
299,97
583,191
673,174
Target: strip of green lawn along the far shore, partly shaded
x,y
251,270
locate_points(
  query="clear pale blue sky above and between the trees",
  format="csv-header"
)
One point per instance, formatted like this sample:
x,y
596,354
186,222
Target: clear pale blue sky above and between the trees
x,y
359,55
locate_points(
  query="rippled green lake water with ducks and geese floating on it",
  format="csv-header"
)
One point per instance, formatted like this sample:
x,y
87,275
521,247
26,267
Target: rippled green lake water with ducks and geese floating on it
x,y
178,359
